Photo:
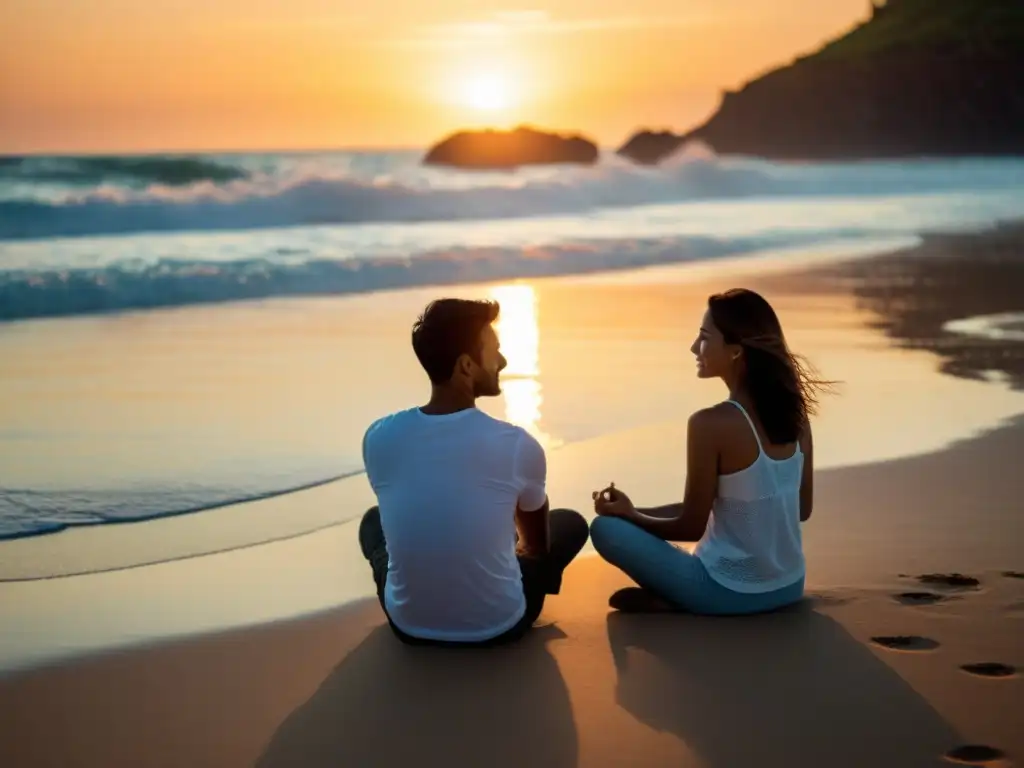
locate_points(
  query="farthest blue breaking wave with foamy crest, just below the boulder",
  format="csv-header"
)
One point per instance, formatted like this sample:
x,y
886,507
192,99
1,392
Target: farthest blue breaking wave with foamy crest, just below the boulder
x,y
240,197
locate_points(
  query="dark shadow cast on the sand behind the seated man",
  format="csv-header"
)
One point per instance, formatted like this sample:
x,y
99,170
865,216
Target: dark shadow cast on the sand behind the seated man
x,y
389,705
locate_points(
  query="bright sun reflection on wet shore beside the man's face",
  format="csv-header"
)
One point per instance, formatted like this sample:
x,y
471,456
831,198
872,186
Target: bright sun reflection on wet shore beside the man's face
x,y
520,333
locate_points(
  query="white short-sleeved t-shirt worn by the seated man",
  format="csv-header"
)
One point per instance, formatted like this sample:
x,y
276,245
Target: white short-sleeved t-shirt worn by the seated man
x,y
448,489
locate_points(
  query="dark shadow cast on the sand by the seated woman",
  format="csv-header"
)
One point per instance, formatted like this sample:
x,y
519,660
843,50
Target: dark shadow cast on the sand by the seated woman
x,y
786,689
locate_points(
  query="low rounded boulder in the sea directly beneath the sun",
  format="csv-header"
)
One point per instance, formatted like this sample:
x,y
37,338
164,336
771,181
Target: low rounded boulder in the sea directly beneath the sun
x,y
493,150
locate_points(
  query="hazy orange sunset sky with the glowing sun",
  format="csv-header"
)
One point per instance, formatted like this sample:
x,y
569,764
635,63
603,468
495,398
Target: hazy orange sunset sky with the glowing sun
x,y
139,75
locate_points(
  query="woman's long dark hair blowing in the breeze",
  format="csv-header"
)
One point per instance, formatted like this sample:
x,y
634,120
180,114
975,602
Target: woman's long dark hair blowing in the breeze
x,y
782,385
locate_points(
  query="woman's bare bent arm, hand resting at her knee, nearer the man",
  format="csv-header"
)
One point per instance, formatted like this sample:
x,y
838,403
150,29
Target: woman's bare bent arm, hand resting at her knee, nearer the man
x,y
685,522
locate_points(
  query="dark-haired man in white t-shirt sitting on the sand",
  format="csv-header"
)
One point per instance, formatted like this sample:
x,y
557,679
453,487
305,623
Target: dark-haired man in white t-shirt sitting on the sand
x,y
462,545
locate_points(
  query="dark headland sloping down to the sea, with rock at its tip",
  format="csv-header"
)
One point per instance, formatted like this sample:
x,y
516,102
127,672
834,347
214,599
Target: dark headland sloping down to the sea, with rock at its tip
x,y
923,78
